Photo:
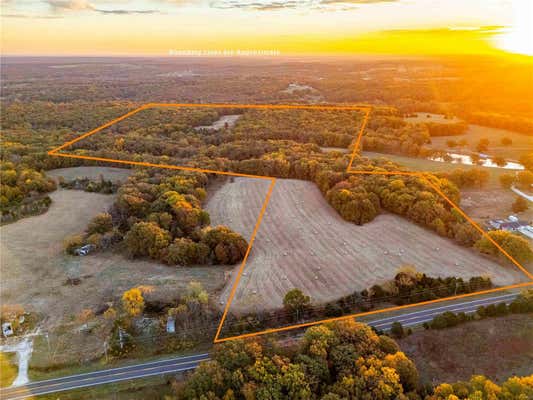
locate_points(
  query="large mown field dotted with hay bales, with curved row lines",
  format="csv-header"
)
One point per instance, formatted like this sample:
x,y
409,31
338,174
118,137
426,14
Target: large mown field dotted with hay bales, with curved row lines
x,y
302,242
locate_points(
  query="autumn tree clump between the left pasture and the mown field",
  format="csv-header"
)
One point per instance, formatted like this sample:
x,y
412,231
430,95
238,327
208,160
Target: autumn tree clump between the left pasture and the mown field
x,y
160,215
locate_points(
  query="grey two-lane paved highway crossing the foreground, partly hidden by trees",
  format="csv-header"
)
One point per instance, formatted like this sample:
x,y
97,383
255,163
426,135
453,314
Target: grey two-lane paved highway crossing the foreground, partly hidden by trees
x,y
180,364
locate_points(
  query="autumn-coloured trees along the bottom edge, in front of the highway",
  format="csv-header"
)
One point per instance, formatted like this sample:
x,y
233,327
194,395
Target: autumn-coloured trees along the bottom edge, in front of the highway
x,y
342,360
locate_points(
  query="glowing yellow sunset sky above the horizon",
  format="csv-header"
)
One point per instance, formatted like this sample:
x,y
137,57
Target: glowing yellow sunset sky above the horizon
x,y
154,27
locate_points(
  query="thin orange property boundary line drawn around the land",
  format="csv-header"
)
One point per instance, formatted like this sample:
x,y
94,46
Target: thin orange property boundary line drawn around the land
x,y
367,110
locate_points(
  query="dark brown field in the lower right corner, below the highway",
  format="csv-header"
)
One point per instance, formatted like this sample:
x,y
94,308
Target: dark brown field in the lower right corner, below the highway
x,y
498,348
